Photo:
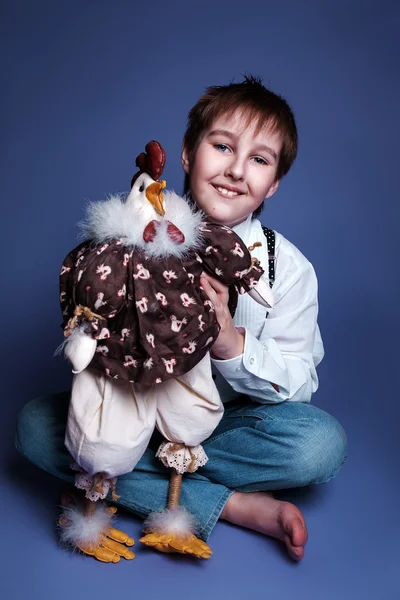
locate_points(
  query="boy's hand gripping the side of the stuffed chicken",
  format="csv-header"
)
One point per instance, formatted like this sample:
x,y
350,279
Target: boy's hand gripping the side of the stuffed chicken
x,y
230,342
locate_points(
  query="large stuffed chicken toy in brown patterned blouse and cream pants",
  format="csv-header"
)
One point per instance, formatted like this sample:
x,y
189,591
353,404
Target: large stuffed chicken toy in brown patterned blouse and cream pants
x,y
139,329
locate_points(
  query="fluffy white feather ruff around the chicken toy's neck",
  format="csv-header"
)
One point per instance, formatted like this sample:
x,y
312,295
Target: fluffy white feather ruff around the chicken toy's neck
x,y
116,219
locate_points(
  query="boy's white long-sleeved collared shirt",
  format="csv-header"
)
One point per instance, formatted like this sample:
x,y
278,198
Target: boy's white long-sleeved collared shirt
x,y
284,348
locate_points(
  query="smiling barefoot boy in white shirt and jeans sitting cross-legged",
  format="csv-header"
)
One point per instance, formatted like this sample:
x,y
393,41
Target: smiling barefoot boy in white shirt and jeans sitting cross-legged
x,y
240,141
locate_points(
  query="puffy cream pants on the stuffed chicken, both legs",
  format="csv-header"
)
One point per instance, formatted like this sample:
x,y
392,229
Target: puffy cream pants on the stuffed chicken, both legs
x,y
110,421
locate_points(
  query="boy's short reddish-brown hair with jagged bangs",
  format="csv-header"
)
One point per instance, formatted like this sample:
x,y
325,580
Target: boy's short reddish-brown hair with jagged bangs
x,y
258,103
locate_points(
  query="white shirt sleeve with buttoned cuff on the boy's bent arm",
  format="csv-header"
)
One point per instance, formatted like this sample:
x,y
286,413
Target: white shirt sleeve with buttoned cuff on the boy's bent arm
x,y
283,353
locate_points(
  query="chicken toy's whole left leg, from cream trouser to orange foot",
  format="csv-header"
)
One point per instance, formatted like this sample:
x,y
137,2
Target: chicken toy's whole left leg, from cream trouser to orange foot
x,y
109,426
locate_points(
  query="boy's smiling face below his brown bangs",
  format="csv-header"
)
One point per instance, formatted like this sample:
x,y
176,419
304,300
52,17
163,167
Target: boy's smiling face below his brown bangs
x,y
233,169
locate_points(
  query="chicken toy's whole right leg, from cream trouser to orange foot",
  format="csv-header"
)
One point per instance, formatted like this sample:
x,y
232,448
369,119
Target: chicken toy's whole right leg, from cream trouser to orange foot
x,y
189,408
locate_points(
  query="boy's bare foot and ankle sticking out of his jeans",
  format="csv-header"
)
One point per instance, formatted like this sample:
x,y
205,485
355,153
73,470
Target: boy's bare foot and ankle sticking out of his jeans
x,y
262,512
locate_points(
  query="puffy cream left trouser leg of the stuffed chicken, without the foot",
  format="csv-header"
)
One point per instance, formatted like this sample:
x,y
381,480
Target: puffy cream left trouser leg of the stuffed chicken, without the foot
x,y
110,423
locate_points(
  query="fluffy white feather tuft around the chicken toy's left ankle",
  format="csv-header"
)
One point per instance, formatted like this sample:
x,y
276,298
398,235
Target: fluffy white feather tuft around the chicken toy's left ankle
x,y
81,530
